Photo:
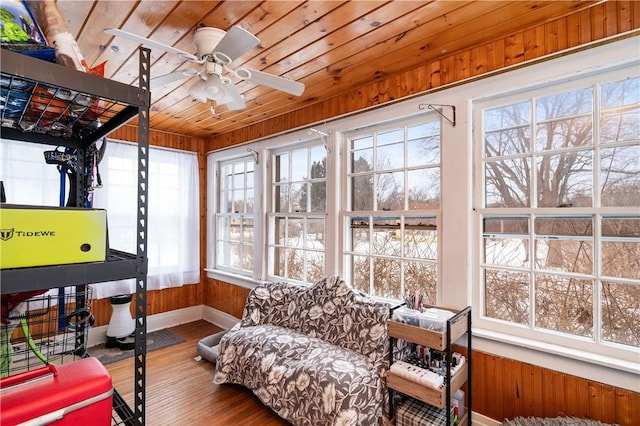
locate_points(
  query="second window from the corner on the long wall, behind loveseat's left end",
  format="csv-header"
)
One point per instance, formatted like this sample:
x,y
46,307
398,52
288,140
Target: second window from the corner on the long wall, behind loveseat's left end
x,y
297,223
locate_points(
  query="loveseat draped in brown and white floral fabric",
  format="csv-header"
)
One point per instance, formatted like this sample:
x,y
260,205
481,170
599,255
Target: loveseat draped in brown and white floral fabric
x,y
315,355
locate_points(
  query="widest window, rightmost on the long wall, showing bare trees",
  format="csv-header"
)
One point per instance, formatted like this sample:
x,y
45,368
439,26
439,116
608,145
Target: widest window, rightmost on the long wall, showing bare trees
x,y
560,218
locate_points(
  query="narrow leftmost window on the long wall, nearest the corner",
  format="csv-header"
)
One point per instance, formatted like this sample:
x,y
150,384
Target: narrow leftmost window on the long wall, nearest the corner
x,y
235,217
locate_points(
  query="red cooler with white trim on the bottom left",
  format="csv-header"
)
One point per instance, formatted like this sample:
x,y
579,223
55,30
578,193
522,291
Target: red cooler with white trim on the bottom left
x,y
76,393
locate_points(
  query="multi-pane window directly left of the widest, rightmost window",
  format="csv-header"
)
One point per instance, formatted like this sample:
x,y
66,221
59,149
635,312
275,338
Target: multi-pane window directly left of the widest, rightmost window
x,y
393,209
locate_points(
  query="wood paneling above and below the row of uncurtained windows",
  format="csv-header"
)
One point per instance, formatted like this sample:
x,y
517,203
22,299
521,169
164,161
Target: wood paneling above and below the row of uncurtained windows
x,y
502,388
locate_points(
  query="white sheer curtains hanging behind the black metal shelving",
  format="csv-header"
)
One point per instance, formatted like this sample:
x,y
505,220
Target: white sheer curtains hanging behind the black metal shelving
x,y
173,245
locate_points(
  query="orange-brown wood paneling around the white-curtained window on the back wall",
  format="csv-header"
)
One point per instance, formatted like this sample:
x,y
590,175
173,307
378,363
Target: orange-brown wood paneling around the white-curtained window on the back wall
x,y
159,301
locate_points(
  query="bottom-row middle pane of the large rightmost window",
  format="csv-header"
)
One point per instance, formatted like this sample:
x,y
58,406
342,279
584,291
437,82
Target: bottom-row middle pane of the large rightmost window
x,y
564,304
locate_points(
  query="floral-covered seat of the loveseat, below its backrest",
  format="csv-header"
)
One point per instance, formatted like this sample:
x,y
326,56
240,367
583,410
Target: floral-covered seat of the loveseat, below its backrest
x,y
304,379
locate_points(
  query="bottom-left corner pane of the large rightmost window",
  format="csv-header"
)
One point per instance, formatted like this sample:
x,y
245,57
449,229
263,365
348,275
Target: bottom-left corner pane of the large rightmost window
x,y
507,295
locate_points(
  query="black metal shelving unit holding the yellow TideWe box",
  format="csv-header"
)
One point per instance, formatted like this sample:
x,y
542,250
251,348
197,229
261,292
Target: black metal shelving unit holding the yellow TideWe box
x,y
112,105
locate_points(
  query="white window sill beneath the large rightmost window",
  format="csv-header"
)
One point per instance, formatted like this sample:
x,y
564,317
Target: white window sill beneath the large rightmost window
x,y
622,374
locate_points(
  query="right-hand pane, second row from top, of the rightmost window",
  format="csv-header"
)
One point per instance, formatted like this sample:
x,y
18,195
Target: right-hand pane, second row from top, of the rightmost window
x,y
620,176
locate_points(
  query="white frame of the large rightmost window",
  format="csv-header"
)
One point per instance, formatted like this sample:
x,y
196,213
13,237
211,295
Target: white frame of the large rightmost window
x,y
619,357
